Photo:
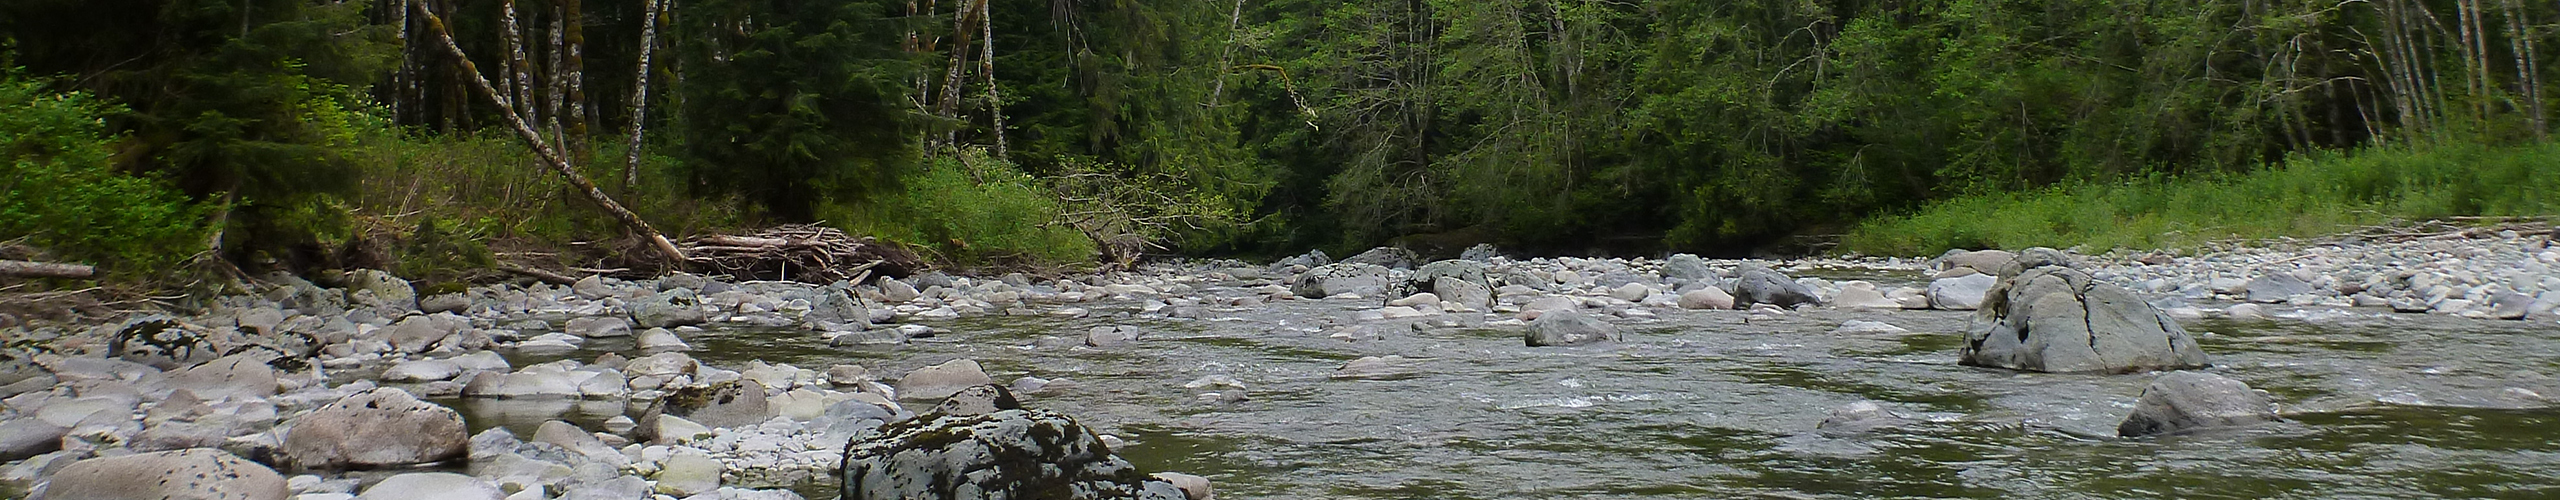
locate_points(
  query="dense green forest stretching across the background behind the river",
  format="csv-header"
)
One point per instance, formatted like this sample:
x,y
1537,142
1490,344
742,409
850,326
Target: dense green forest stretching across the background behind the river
x,y
1268,127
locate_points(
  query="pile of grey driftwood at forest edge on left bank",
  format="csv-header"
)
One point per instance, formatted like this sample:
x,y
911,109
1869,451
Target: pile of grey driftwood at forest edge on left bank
x,y
800,255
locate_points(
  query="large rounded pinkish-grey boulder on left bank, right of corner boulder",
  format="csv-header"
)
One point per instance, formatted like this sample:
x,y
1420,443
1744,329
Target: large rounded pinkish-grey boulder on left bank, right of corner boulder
x,y
380,427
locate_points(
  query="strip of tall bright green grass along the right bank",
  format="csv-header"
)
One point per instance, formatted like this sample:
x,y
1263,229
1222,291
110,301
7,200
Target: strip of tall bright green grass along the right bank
x,y
2303,196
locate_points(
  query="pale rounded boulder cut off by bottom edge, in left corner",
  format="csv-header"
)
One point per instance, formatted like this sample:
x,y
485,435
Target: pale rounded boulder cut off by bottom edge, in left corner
x,y
165,476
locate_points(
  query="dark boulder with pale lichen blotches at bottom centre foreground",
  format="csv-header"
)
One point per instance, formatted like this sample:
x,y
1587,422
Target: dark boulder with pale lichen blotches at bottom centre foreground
x,y
989,458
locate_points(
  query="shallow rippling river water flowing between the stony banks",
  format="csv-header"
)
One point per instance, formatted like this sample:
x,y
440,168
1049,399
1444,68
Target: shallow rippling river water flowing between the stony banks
x,y
1709,404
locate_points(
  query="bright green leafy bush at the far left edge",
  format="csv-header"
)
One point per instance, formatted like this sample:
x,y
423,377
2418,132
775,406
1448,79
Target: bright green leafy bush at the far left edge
x,y
60,191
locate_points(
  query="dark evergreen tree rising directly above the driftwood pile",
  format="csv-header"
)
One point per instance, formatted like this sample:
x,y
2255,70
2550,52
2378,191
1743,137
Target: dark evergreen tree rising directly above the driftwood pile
x,y
792,104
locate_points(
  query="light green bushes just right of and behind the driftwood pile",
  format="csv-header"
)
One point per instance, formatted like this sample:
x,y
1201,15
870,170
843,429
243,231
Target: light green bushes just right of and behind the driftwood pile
x,y
974,212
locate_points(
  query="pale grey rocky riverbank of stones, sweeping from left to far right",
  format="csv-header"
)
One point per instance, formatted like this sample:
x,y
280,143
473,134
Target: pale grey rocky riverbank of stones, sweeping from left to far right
x,y
324,386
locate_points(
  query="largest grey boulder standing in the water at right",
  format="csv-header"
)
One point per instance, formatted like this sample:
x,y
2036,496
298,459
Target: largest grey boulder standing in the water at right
x,y
2057,319
